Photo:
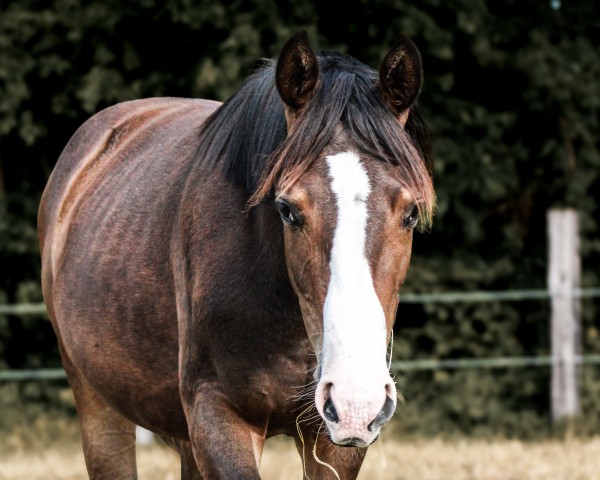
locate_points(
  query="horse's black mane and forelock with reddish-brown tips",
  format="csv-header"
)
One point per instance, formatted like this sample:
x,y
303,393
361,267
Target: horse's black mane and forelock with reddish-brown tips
x,y
247,134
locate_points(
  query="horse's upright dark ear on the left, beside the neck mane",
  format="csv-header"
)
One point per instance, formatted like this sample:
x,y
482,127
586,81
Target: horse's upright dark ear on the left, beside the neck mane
x,y
297,71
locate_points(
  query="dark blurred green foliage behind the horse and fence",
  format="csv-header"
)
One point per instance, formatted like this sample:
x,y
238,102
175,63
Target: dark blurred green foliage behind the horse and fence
x,y
512,98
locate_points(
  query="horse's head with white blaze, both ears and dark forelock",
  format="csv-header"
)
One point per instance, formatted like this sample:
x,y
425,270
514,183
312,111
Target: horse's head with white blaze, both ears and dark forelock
x,y
348,215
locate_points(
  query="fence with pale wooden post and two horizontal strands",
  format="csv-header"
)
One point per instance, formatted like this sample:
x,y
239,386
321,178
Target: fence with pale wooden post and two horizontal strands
x,y
563,291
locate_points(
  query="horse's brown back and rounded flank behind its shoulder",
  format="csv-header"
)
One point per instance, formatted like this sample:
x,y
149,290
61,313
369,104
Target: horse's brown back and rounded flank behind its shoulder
x,y
105,222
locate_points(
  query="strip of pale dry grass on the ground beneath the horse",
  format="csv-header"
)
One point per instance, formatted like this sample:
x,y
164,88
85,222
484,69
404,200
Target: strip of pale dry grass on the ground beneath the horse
x,y
418,460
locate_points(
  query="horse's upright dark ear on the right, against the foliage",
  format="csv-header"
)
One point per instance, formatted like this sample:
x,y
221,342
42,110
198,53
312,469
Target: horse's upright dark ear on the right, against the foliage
x,y
401,77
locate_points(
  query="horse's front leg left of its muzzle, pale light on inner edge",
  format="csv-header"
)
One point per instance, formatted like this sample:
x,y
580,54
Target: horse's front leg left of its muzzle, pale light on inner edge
x,y
225,446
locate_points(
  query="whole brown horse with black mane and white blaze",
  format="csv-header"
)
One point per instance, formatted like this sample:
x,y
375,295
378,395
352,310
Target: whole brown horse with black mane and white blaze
x,y
215,273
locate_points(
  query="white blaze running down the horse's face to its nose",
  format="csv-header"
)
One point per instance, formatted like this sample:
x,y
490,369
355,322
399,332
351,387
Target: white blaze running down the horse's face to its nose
x,y
354,340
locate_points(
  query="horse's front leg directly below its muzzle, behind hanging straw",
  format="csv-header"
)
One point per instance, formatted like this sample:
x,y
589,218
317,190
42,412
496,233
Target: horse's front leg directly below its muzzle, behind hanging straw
x,y
328,461
